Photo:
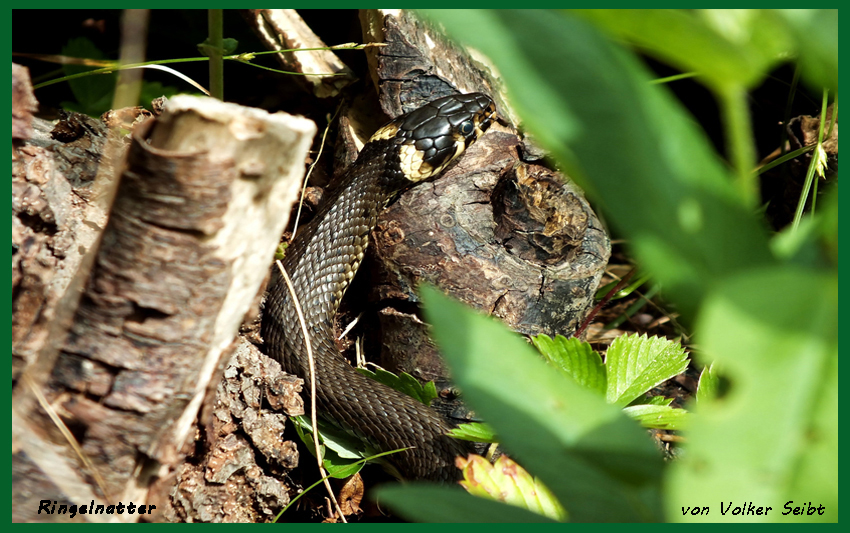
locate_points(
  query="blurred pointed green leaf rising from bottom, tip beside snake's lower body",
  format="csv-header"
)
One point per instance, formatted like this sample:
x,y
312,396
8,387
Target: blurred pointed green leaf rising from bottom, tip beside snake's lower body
x,y
598,463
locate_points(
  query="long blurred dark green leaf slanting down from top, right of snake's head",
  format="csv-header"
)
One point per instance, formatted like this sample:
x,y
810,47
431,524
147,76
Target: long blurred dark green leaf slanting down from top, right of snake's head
x,y
663,186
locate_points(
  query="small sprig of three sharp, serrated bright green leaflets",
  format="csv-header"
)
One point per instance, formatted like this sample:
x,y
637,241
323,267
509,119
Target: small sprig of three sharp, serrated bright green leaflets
x,y
635,364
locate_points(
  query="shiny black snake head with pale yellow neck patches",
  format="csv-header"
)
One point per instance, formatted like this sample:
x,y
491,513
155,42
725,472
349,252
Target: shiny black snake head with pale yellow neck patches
x,y
433,135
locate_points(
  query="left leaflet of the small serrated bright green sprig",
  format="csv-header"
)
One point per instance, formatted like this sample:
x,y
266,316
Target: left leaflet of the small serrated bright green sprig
x,y
575,359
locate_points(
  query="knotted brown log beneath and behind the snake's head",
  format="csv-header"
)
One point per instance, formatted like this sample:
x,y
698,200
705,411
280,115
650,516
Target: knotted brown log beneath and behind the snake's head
x,y
499,230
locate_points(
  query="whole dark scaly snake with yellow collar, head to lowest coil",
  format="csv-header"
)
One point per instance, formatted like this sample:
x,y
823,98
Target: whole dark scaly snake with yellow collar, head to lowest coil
x,y
322,260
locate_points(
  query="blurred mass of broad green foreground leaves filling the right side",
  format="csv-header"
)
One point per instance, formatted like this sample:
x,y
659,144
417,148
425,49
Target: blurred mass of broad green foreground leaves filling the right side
x,y
767,320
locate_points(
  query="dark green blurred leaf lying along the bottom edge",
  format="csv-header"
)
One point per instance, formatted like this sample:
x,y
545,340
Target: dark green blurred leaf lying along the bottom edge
x,y
421,502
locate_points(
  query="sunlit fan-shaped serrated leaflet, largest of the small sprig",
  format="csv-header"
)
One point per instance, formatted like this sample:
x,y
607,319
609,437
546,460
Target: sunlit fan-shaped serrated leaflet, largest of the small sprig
x,y
636,364
